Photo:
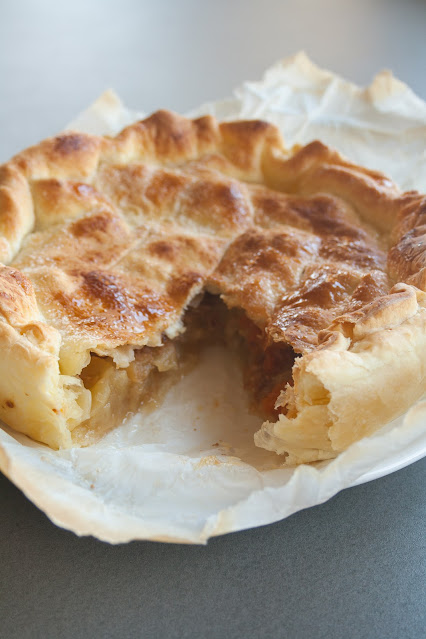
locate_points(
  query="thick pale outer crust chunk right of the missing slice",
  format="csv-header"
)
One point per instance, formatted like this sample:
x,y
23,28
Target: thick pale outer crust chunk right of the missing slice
x,y
369,369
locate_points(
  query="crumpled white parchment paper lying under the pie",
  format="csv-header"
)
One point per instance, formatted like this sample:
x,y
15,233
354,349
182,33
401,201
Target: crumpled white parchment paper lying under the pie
x,y
189,470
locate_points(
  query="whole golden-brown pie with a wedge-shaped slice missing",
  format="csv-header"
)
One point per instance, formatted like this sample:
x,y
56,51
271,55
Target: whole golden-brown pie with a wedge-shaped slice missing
x,y
116,251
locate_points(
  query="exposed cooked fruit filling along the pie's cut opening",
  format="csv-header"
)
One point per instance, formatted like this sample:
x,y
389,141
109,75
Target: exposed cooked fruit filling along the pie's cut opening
x,y
118,392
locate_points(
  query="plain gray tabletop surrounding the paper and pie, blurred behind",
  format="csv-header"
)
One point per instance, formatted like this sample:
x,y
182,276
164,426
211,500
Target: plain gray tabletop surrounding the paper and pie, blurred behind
x,y
353,567
